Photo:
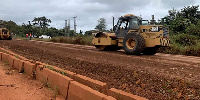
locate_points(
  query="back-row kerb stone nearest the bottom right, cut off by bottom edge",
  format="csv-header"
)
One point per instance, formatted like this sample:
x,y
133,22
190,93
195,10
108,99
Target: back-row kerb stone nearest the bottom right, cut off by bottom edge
x,y
121,95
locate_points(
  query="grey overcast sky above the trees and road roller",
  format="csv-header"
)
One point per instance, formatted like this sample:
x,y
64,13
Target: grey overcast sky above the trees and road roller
x,y
87,11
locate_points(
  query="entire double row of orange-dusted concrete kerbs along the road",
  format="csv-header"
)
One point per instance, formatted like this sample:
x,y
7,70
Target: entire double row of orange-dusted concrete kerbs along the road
x,y
68,84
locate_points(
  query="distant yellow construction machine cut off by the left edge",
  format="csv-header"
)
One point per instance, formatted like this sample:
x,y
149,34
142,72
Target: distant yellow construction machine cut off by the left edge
x,y
4,33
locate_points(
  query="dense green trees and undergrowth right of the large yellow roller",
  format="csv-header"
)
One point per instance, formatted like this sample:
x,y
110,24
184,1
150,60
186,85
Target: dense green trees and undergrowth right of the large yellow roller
x,y
184,31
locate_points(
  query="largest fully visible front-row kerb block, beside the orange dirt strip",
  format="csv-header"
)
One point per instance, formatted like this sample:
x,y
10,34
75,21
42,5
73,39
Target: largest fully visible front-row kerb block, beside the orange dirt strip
x,y
53,79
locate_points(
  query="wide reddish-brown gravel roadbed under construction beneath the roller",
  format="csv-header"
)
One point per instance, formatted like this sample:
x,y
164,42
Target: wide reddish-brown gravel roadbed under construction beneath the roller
x,y
156,77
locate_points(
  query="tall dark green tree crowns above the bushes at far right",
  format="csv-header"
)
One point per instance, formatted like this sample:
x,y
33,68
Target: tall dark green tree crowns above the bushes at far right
x,y
179,21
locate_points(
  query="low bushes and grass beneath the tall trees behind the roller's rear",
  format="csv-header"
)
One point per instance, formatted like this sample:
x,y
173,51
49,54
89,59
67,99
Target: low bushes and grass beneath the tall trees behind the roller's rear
x,y
183,44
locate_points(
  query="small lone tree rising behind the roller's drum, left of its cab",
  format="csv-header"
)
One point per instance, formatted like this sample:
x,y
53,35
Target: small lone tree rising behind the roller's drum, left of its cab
x,y
101,24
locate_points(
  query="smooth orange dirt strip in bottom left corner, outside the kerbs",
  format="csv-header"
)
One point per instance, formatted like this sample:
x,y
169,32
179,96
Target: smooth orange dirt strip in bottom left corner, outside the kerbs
x,y
15,86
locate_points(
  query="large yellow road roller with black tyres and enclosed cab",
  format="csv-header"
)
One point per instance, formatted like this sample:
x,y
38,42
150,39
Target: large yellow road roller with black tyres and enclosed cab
x,y
134,35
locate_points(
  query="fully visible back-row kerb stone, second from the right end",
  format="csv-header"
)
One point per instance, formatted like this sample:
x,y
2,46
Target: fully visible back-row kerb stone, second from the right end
x,y
94,84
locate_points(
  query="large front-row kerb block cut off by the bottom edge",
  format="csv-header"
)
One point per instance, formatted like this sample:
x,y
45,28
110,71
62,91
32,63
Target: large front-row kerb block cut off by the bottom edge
x,y
79,91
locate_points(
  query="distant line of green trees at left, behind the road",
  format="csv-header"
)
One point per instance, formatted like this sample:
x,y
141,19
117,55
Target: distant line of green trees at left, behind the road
x,y
38,26
